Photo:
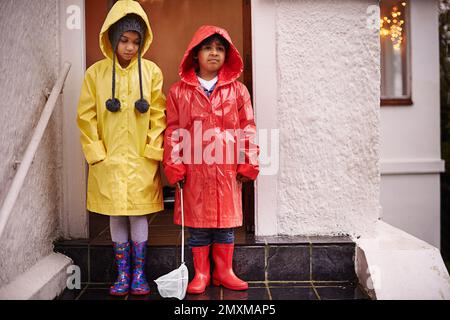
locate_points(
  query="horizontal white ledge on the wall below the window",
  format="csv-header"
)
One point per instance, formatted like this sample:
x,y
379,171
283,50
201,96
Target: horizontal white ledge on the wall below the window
x,y
411,166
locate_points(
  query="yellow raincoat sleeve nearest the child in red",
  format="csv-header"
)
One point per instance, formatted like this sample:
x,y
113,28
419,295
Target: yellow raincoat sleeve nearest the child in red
x,y
154,147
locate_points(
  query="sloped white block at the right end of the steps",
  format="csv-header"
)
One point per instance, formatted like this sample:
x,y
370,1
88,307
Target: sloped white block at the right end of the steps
x,y
392,264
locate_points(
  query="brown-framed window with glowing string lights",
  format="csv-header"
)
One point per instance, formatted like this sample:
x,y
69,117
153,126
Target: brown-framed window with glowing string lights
x,y
395,53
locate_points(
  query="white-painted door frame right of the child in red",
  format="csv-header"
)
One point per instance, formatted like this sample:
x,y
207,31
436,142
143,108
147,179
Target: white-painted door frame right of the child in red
x,y
265,101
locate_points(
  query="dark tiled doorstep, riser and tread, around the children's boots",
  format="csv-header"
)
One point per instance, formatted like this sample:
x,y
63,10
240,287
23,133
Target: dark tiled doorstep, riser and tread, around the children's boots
x,y
300,268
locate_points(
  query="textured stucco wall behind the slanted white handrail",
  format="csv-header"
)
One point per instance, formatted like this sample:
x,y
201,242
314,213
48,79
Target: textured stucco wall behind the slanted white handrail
x,y
29,64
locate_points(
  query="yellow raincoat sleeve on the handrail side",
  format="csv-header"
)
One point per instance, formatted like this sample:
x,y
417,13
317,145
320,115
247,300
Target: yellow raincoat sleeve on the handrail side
x,y
93,148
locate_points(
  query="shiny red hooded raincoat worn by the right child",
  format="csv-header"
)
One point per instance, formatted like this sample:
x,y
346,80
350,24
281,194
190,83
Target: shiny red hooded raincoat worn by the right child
x,y
212,195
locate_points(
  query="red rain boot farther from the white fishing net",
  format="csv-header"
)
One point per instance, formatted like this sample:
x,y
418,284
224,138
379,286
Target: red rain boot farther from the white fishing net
x,y
223,270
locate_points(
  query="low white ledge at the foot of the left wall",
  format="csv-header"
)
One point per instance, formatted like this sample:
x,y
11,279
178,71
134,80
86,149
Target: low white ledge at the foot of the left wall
x,y
43,281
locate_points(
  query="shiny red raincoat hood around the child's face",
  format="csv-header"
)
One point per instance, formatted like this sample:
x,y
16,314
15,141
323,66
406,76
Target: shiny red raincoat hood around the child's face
x,y
230,71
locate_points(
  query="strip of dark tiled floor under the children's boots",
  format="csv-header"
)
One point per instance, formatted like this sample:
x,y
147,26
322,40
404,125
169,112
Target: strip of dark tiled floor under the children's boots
x,y
256,291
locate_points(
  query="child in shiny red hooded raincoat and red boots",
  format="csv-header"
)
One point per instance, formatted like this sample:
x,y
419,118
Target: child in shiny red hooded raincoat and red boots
x,y
209,147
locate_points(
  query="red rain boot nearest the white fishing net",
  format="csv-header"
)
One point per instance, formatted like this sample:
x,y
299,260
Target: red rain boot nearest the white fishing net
x,y
202,270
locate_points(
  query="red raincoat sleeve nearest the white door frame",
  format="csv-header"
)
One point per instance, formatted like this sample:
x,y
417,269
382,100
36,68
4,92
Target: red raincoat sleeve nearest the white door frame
x,y
248,150
